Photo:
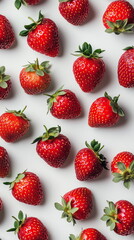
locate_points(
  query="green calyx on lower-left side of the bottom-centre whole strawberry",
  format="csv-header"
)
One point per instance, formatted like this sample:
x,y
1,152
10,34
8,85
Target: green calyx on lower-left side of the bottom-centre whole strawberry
x,y
67,210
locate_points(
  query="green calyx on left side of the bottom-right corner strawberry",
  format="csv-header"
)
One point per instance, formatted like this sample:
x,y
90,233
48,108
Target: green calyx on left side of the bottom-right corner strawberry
x,y
110,216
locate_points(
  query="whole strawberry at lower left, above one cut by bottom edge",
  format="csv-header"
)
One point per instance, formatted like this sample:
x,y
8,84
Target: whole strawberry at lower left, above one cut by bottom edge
x,y
27,188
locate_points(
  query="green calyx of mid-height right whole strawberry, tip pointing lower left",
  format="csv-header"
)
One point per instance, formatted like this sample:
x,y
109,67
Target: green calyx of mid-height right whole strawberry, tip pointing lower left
x,y
114,104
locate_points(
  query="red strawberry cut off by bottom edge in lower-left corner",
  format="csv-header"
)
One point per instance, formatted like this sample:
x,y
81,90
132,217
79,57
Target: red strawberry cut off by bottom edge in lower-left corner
x,y
29,228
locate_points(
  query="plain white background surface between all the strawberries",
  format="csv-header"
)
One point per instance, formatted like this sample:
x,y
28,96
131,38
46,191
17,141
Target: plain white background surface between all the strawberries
x,y
23,155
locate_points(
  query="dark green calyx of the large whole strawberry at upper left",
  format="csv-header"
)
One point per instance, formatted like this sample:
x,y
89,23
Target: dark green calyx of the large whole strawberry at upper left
x,y
32,26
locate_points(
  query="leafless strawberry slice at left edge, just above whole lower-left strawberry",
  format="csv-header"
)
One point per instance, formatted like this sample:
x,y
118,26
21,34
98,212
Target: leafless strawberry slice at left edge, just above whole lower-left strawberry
x,y
4,162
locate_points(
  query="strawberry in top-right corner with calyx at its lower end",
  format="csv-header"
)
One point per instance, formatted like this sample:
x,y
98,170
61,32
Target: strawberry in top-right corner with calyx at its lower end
x,y
119,17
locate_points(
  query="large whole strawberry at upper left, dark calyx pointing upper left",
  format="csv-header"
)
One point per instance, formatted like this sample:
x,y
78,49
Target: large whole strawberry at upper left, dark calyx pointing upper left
x,y
43,36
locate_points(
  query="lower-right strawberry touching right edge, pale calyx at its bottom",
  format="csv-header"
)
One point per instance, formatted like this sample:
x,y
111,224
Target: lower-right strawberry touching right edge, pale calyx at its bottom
x,y
122,168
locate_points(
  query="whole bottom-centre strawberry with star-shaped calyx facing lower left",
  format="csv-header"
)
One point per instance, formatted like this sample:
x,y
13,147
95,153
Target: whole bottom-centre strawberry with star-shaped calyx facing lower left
x,y
76,204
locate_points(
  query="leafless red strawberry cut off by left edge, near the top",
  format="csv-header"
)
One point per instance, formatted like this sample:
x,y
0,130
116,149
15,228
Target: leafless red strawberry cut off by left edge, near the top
x,y
7,36
